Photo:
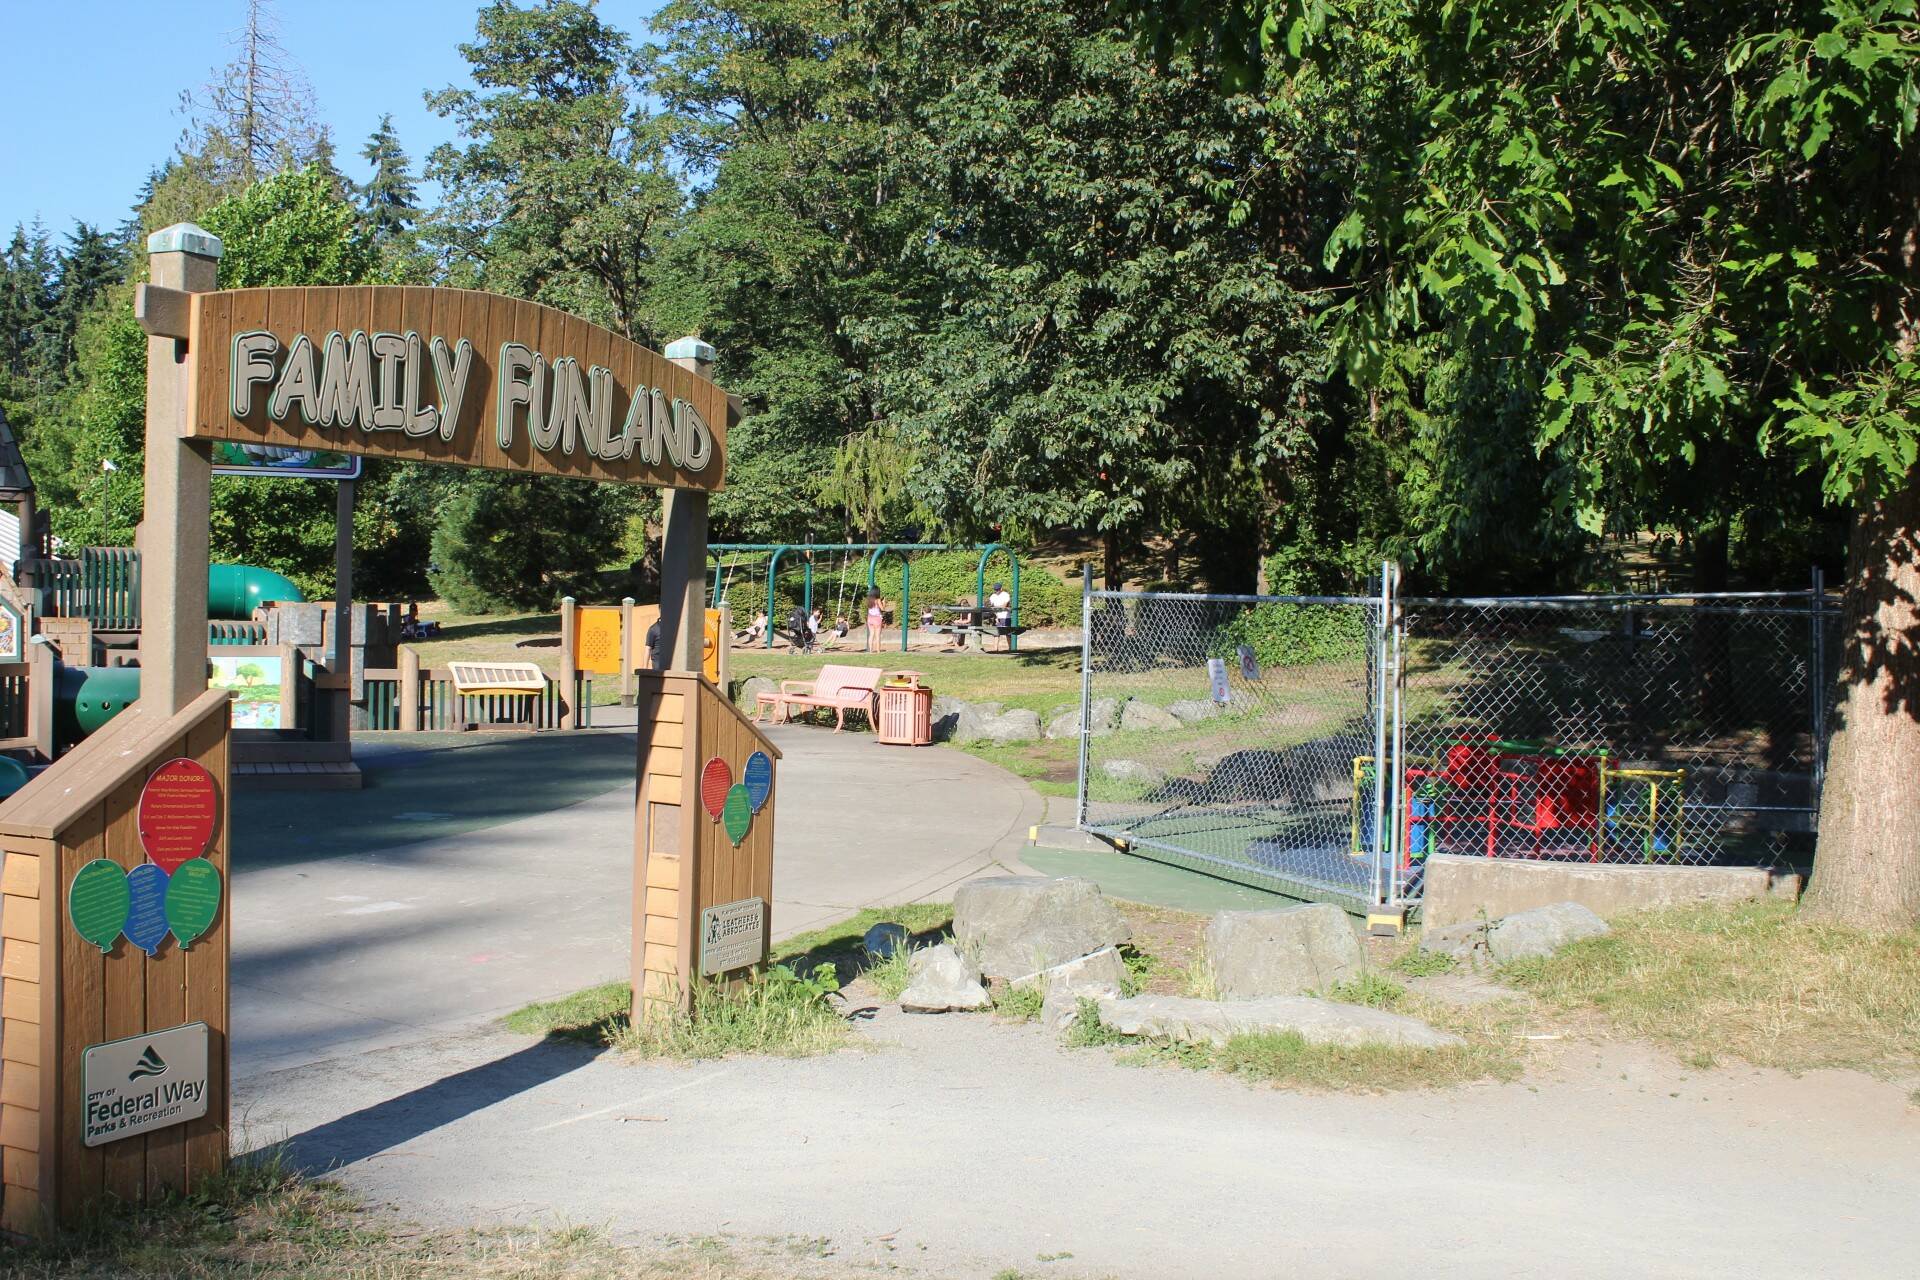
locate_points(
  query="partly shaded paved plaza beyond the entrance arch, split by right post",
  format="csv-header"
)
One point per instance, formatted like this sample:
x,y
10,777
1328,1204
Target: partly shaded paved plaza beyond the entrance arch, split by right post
x,y
481,872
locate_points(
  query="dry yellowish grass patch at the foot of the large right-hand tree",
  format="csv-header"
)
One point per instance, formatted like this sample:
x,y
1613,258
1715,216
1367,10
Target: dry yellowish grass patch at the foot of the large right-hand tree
x,y
1752,984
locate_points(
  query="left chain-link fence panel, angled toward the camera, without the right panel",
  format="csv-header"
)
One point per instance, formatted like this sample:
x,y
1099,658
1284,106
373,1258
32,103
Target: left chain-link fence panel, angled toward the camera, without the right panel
x,y
1230,734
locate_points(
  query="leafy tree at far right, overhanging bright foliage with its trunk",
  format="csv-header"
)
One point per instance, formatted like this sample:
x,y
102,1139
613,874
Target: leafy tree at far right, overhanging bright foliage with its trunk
x,y
1692,235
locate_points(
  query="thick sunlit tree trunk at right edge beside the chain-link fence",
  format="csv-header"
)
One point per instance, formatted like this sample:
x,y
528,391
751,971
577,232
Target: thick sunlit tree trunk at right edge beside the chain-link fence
x,y
1867,868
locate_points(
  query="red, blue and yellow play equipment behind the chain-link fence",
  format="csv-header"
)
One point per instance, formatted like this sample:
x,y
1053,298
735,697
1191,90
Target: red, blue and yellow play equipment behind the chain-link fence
x,y
1525,799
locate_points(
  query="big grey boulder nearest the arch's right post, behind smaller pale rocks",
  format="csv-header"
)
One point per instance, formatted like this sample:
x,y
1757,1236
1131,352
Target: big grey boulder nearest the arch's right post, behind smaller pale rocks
x,y
1015,926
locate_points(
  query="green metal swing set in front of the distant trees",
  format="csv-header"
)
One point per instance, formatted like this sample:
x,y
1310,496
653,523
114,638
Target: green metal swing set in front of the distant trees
x,y
729,557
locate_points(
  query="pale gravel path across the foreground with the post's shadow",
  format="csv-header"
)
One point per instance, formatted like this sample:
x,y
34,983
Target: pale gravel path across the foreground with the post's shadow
x,y
965,1147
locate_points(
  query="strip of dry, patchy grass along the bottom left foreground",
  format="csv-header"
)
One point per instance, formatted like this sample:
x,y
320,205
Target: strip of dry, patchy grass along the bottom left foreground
x,y
268,1223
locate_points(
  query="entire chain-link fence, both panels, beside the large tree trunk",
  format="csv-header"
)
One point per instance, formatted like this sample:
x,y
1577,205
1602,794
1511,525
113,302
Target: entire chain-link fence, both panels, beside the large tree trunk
x,y
1241,736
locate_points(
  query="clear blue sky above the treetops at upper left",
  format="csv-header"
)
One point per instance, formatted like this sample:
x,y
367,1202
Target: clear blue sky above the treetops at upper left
x,y
89,89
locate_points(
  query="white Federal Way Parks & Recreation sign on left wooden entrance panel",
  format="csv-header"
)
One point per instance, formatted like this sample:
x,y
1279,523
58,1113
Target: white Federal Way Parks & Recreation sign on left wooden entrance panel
x,y
143,1083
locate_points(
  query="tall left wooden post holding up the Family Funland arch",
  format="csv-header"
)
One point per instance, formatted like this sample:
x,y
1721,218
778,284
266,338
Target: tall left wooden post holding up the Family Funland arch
x,y
180,475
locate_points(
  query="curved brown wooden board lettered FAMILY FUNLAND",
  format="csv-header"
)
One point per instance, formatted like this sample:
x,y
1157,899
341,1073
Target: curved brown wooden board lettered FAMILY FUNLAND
x,y
372,369
